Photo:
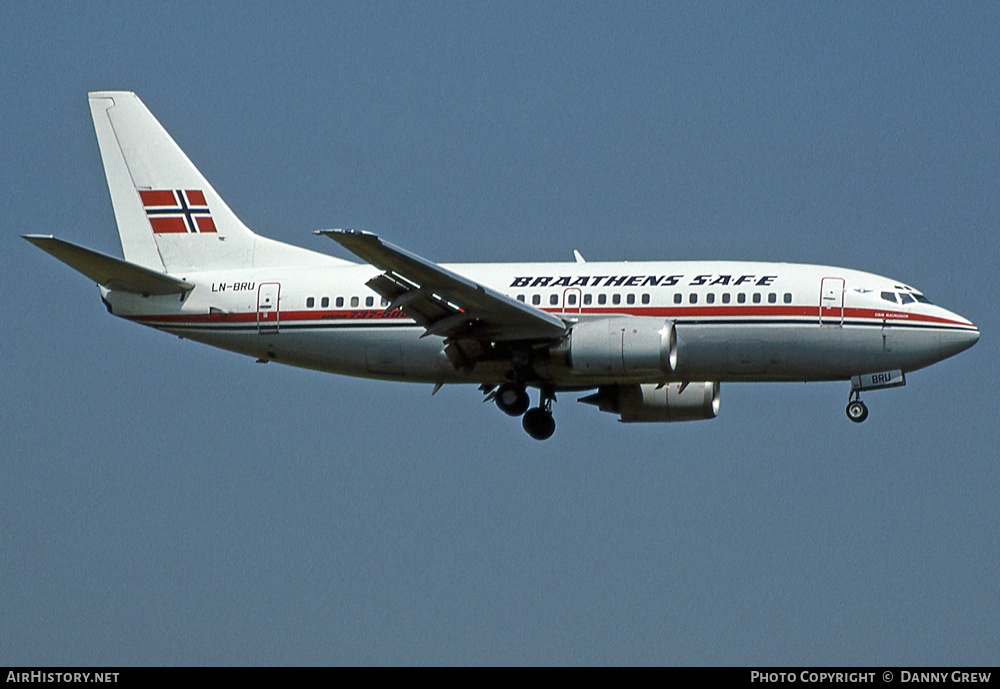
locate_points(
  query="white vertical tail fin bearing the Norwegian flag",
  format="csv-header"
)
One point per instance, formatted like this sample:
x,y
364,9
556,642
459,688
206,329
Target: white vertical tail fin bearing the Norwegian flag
x,y
169,217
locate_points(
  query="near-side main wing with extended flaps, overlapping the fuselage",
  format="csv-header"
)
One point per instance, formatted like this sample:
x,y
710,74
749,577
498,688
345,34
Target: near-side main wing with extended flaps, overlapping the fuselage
x,y
442,301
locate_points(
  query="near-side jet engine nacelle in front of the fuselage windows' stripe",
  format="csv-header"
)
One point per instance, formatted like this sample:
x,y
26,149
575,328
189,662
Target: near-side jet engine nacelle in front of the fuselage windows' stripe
x,y
623,346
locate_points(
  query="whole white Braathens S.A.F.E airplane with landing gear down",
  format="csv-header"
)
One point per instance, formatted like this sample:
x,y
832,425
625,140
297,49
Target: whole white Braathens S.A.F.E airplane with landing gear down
x,y
651,341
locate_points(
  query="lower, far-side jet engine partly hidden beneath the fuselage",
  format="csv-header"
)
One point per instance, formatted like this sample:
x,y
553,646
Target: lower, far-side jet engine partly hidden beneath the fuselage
x,y
653,402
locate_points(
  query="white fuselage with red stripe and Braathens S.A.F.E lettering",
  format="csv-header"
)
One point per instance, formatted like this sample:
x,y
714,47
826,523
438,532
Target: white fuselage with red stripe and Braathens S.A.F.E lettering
x,y
735,321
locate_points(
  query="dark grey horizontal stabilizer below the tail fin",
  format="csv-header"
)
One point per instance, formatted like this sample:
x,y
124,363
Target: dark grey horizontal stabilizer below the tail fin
x,y
111,272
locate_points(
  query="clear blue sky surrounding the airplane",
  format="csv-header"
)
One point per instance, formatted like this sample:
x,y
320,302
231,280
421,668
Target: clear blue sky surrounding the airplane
x,y
162,502
